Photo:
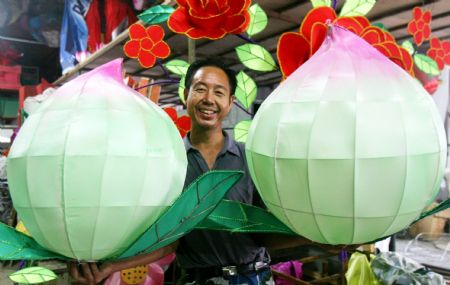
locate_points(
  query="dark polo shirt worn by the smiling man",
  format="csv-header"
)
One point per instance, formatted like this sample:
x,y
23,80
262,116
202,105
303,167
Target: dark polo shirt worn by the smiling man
x,y
202,248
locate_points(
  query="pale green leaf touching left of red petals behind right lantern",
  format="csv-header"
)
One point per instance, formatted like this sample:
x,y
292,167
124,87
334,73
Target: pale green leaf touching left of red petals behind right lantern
x,y
255,57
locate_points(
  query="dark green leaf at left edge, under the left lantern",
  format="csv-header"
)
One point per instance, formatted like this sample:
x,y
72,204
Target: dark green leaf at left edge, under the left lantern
x,y
15,245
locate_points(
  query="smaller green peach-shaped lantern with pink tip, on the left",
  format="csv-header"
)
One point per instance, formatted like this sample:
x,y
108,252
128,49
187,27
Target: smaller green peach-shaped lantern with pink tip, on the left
x,y
95,166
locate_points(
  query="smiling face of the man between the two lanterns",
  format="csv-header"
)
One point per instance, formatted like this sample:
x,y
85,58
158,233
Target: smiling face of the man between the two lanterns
x,y
209,99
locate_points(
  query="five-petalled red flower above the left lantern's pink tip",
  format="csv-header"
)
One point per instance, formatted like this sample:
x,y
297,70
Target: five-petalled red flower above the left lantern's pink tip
x,y
146,44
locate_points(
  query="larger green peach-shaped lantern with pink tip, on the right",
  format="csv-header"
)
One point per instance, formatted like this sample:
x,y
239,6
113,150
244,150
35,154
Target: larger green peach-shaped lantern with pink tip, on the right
x,y
349,148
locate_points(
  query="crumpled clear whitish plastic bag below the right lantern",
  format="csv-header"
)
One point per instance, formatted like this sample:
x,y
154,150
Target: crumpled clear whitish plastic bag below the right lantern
x,y
393,268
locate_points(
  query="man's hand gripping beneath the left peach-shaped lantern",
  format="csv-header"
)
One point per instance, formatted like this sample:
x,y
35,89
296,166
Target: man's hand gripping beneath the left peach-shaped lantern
x,y
88,273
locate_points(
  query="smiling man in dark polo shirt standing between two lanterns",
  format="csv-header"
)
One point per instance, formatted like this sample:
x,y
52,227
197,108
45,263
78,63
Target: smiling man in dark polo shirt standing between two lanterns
x,y
209,257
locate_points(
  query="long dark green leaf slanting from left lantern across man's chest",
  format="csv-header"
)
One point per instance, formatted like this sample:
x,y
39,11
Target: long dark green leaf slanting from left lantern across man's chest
x,y
194,205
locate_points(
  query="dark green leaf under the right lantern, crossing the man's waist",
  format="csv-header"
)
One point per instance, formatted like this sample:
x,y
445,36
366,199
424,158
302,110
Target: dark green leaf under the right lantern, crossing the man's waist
x,y
237,217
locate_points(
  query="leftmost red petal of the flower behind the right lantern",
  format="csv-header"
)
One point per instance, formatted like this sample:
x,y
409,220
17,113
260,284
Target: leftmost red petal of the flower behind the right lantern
x,y
292,51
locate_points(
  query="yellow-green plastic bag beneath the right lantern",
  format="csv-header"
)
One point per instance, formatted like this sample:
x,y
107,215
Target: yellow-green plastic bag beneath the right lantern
x,y
359,271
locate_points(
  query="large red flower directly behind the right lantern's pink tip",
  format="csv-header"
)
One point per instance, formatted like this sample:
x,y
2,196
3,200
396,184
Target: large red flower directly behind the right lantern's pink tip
x,y
296,48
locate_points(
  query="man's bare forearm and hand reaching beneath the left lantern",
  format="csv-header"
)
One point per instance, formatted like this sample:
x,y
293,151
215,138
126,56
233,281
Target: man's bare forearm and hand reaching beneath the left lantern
x,y
91,273
